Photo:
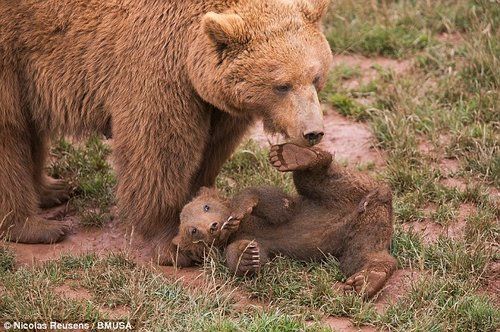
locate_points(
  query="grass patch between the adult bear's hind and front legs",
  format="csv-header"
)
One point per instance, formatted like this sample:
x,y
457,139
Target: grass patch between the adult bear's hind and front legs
x,y
86,169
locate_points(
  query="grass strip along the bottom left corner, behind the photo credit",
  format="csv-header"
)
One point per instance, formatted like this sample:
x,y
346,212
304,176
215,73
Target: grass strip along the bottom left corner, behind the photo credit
x,y
119,289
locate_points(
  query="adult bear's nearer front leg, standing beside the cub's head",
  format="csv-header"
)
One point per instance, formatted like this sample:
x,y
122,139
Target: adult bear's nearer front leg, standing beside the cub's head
x,y
156,156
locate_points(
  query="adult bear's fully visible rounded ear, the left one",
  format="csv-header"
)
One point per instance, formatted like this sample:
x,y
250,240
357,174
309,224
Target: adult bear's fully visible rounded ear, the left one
x,y
225,29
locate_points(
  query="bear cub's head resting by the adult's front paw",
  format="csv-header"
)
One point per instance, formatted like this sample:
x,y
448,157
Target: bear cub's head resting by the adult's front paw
x,y
201,220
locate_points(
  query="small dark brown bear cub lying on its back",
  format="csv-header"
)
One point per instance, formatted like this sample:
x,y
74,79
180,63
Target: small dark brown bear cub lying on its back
x,y
336,212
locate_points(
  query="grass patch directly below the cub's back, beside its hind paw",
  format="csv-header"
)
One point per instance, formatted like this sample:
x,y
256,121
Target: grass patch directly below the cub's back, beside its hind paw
x,y
297,288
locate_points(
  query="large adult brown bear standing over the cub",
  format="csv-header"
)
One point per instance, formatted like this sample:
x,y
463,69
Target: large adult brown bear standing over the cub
x,y
180,81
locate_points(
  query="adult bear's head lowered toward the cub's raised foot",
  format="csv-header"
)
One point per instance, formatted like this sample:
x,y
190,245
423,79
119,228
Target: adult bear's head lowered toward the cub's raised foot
x,y
265,58
